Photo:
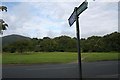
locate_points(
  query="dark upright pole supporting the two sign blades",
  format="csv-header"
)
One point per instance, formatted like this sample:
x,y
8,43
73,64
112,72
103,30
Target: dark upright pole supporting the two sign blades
x,y
78,39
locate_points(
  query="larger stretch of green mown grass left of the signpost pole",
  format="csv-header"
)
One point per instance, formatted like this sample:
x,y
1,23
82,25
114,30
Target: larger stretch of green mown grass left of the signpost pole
x,y
39,58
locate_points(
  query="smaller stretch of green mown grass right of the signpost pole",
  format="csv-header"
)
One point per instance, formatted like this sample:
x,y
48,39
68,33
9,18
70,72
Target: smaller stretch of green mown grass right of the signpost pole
x,y
91,57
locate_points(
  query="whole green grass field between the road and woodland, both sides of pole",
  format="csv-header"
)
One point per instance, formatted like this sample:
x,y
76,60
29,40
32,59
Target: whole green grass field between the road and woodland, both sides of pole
x,y
55,57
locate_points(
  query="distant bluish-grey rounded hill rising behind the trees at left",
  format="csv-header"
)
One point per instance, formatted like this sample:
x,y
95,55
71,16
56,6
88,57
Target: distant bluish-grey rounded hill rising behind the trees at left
x,y
12,38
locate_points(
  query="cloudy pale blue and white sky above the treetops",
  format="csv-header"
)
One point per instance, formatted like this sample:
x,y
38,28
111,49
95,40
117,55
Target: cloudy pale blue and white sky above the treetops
x,y
40,19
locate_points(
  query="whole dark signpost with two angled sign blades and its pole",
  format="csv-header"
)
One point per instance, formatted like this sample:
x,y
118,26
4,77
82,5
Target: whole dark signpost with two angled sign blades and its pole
x,y
74,17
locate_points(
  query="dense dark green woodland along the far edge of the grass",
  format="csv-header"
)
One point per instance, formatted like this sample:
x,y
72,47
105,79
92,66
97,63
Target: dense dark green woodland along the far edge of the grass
x,y
106,43
